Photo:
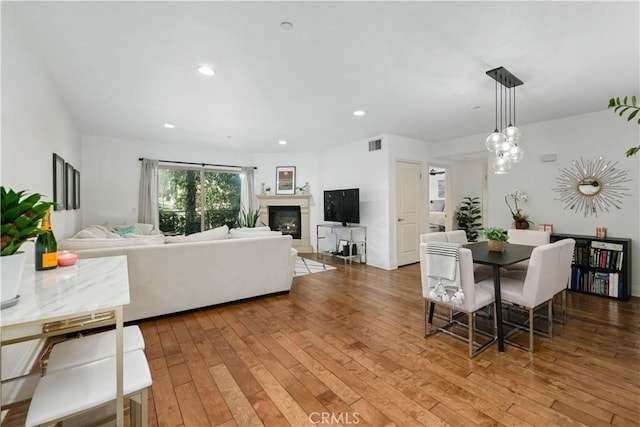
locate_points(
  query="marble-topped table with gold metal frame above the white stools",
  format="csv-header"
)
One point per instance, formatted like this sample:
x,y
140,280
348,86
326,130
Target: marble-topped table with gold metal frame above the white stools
x,y
87,295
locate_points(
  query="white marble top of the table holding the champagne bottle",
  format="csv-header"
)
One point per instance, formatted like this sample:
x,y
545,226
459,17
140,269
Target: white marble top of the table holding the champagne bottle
x,y
89,286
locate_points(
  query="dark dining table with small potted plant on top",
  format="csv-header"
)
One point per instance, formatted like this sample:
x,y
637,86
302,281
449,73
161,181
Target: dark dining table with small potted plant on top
x,y
511,254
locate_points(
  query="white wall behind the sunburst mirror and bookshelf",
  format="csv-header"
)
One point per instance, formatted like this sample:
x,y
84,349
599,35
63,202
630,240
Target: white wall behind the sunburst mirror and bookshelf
x,y
587,136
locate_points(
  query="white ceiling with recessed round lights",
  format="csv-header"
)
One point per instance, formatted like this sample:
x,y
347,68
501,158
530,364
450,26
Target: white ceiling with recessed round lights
x,y
416,68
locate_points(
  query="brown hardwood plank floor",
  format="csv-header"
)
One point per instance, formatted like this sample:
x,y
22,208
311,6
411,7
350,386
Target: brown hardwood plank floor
x,y
346,347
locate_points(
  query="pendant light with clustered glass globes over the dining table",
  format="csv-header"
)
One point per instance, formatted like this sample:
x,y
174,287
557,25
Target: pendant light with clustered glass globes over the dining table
x,y
505,139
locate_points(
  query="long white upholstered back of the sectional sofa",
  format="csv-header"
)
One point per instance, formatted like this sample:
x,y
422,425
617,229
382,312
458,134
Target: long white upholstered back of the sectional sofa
x,y
174,277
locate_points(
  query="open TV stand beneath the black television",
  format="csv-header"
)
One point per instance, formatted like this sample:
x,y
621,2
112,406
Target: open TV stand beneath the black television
x,y
353,236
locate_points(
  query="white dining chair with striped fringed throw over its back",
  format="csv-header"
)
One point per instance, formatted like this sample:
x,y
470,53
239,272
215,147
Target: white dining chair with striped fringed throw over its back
x,y
474,297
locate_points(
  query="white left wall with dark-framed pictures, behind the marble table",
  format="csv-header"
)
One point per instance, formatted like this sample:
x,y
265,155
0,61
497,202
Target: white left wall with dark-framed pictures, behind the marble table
x,y
35,124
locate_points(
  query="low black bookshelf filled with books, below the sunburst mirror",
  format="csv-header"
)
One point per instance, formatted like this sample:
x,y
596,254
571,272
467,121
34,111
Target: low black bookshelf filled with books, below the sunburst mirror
x,y
600,266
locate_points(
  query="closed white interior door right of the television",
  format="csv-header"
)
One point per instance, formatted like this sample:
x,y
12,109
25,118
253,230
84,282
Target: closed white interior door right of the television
x,y
408,211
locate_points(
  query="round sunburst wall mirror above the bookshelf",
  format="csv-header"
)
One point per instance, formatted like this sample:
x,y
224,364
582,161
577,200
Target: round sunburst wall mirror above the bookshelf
x,y
592,186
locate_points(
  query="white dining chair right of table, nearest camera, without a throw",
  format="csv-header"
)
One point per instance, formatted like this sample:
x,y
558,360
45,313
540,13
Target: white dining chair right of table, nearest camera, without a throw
x,y
536,289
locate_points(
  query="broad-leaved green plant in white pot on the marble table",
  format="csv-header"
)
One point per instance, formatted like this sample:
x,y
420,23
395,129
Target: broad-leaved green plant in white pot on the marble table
x,y
21,215
